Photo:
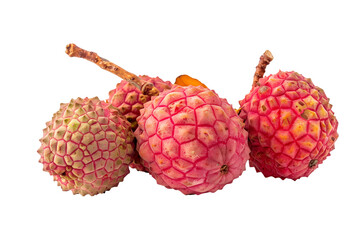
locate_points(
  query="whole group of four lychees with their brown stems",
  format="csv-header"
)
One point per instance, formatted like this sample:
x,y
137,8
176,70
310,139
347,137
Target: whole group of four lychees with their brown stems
x,y
184,135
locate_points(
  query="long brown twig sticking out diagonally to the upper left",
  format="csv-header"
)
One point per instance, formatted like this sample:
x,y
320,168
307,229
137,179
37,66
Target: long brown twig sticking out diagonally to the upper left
x,y
145,87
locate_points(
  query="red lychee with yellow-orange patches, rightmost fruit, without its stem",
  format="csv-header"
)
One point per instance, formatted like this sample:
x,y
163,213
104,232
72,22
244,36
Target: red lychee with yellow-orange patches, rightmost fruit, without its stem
x,y
292,128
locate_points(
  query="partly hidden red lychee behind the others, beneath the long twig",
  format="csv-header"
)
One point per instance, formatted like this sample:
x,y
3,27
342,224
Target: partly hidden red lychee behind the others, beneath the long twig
x,y
129,99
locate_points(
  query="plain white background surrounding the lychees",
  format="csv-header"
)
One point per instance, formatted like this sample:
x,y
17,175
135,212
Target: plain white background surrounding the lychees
x,y
218,42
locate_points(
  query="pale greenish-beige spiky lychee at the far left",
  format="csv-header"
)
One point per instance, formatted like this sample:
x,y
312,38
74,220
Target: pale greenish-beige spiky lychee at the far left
x,y
87,146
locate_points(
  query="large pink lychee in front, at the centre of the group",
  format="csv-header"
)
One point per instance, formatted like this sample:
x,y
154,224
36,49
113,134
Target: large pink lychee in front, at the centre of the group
x,y
191,140
